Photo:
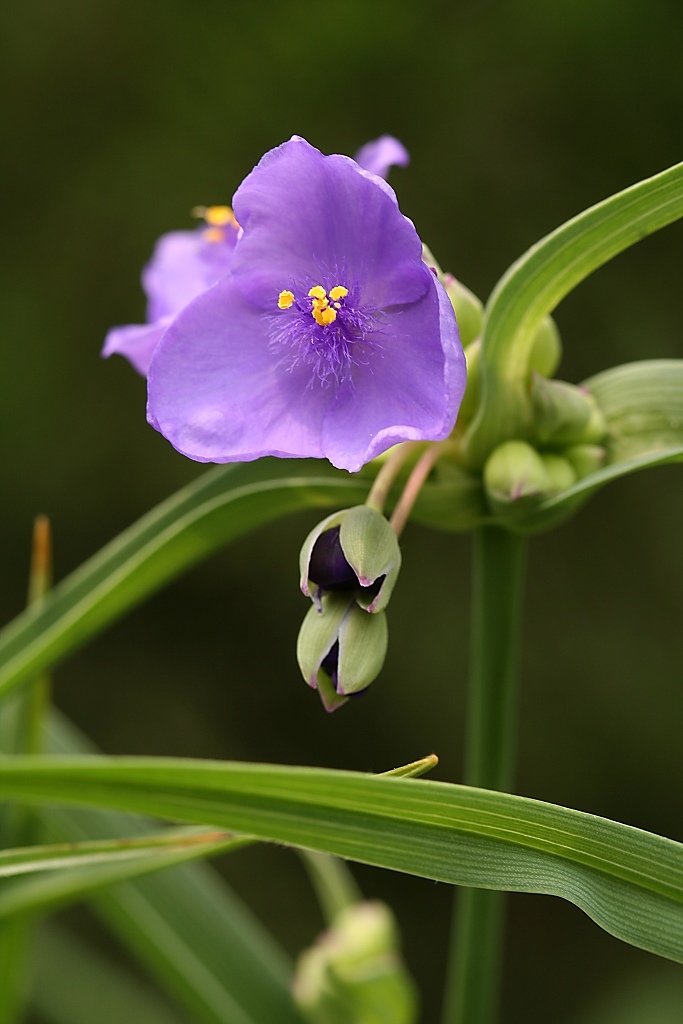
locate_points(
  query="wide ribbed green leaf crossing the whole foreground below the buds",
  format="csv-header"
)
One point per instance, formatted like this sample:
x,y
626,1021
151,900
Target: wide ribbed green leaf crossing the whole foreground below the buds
x,y
630,882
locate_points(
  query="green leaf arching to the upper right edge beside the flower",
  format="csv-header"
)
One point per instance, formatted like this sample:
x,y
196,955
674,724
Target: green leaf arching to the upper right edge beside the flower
x,y
544,276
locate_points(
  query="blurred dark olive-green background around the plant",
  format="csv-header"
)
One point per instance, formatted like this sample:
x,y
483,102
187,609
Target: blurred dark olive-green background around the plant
x,y
118,117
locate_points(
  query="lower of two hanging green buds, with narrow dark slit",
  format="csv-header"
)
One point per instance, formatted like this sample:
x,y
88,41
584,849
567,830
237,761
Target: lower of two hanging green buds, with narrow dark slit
x,y
341,649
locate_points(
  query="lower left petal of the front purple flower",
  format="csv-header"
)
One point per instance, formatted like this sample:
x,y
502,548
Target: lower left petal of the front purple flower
x,y
219,395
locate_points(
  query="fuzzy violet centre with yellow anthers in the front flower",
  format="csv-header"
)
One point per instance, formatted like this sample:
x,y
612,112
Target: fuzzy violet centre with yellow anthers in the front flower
x,y
325,329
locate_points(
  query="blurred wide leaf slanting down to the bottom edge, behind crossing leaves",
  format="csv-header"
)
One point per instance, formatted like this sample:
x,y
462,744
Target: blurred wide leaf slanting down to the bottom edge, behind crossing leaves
x,y
186,925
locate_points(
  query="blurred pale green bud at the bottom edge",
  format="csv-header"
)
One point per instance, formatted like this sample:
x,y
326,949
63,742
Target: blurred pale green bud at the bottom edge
x,y
355,974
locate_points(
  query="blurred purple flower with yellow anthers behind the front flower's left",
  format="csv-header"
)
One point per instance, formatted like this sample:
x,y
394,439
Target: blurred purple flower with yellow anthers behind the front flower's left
x,y
184,266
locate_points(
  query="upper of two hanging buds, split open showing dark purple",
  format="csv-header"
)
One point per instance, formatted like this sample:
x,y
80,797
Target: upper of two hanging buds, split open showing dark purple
x,y
354,551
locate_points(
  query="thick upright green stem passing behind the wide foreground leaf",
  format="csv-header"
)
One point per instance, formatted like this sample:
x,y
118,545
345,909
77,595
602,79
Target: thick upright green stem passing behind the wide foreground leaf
x,y
491,747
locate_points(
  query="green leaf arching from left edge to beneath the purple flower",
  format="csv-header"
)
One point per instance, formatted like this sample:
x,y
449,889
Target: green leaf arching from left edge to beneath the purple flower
x,y
182,532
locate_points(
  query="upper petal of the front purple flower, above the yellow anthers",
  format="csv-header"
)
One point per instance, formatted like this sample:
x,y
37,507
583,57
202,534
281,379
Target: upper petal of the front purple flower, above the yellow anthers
x,y
307,217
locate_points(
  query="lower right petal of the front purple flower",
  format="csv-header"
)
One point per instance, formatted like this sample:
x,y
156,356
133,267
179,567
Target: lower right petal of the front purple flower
x,y
411,393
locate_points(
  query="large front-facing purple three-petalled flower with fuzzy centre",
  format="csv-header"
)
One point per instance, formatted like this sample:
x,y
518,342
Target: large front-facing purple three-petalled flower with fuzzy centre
x,y
327,338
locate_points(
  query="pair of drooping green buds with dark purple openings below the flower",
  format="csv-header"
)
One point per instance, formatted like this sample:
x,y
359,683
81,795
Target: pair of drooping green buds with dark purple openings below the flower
x,y
350,565
